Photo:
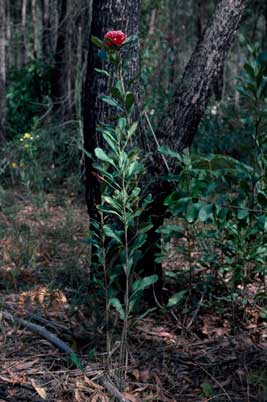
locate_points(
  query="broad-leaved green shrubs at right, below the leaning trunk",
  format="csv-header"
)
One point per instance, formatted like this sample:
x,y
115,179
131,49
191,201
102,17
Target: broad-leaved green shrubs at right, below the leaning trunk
x,y
219,207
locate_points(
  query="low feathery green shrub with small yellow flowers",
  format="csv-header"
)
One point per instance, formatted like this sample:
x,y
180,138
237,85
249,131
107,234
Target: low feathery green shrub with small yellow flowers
x,y
42,158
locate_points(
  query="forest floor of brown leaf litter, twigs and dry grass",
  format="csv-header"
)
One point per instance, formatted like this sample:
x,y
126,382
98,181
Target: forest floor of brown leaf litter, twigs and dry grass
x,y
197,356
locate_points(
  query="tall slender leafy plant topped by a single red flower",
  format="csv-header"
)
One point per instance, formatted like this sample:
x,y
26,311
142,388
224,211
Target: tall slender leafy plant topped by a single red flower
x,y
118,235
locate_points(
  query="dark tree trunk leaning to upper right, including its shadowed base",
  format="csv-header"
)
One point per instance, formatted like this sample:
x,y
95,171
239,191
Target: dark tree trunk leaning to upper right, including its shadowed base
x,y
179,126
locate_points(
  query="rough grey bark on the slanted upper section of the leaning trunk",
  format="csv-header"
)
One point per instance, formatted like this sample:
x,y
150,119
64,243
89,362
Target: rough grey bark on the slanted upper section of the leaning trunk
x,y
179,126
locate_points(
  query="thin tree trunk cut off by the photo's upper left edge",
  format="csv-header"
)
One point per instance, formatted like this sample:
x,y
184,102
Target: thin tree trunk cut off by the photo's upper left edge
x,y
2,70
